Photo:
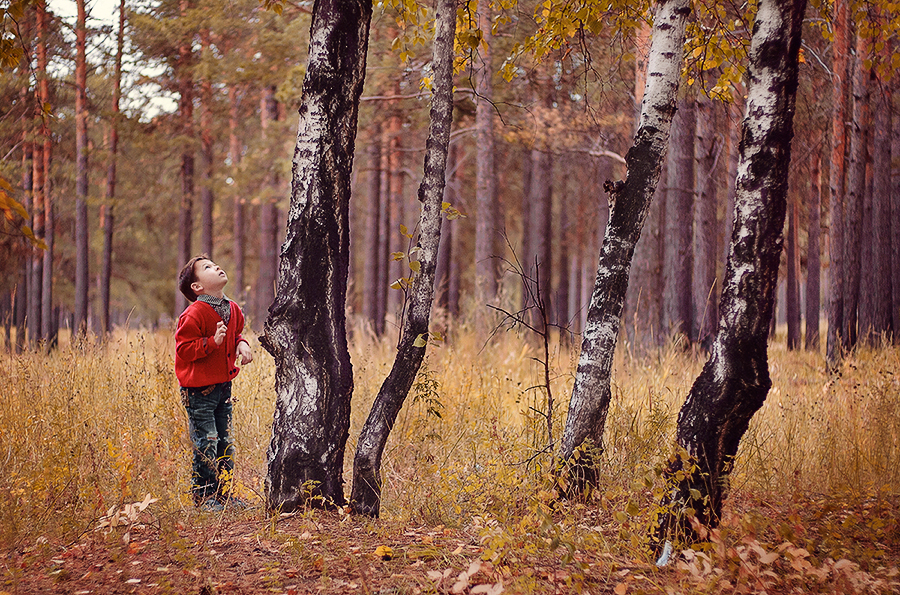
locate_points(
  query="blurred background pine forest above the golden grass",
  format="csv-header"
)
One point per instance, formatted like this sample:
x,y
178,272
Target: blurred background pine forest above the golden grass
x,y
206,121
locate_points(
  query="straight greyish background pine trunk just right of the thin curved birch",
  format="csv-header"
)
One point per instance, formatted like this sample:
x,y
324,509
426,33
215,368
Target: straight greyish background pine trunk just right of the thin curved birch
x,y
485,176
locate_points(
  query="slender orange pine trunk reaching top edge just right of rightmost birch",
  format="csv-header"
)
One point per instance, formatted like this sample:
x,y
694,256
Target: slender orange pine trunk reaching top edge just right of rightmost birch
x,y
840,84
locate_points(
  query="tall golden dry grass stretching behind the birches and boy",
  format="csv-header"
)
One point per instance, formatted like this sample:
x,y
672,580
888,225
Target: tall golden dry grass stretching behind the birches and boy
x,y
90,426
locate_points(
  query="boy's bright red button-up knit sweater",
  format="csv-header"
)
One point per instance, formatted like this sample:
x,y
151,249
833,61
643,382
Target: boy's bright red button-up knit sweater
x,y
198,360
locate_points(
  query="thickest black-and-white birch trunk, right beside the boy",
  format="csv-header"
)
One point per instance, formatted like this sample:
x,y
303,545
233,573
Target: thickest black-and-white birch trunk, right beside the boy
x,y
305,331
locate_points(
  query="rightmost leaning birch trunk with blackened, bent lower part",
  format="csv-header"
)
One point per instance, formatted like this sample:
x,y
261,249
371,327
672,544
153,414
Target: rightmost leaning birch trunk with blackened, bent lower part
x,y
735,380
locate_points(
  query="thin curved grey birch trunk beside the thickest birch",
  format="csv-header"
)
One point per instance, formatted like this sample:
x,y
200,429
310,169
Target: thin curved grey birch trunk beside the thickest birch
x,y
366,494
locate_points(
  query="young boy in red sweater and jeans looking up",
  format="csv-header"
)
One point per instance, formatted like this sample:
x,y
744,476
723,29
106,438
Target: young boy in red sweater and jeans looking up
x,y
207,344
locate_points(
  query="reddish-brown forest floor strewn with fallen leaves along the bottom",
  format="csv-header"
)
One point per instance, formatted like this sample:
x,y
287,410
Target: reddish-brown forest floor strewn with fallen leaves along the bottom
x,y
852,548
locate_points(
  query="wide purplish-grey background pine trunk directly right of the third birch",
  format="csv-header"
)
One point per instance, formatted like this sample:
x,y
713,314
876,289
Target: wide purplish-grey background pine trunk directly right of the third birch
x,y
677,306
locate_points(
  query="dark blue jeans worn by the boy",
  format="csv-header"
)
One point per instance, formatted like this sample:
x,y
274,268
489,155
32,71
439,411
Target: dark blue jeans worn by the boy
x,y
209,421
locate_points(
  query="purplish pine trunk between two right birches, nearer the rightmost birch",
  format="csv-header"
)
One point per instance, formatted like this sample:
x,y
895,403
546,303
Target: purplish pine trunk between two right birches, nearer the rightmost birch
x,y
707,147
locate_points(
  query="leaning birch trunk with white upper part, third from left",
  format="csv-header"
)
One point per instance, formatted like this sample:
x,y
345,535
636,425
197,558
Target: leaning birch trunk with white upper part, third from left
x,y
629,203
